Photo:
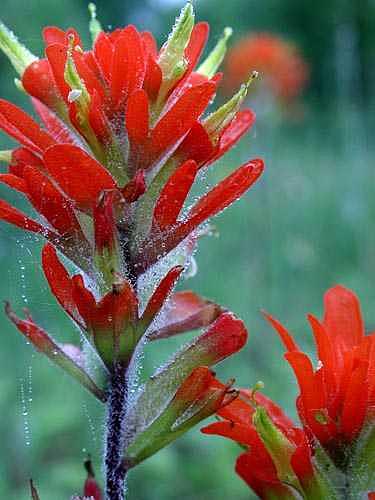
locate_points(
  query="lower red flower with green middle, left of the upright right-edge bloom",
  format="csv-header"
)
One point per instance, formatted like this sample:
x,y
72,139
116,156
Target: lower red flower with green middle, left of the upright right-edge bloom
x,y
279,458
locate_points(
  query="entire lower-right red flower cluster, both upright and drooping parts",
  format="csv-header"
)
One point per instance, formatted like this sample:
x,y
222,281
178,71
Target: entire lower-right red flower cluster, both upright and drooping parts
x,y
331,455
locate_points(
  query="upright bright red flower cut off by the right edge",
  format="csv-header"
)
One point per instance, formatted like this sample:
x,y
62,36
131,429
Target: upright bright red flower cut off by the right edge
x,y
338,396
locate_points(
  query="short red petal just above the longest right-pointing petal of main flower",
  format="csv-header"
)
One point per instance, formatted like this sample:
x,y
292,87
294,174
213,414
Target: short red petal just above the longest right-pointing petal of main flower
x,y
173,196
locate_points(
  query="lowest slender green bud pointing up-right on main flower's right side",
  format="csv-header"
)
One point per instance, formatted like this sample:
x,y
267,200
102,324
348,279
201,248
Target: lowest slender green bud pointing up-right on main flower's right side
x,y
216,122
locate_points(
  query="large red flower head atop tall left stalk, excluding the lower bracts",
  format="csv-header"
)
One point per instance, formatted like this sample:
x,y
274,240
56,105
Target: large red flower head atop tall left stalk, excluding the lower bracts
x,y
119,118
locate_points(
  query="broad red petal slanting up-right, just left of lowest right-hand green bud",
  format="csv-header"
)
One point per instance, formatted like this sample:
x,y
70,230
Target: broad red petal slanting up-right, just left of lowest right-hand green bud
x,y
179,119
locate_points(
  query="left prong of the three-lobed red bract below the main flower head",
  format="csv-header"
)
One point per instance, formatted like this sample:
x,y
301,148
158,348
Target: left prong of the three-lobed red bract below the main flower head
x,y
59,281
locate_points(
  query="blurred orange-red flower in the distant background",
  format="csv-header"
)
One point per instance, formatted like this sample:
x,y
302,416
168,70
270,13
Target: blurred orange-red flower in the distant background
x,y
283,70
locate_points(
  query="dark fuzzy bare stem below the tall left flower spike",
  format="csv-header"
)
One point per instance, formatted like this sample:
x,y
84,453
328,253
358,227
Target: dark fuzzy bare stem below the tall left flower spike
x,y
116,412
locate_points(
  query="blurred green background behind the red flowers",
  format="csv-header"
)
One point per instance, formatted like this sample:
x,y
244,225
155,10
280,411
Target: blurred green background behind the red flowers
x,y
304,227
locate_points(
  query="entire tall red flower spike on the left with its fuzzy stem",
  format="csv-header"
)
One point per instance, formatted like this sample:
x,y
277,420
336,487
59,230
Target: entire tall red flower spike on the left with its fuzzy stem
x,y
122,137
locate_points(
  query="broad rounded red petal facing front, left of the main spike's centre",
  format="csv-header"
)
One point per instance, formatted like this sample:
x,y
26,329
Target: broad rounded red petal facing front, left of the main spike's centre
x,y
80,176
